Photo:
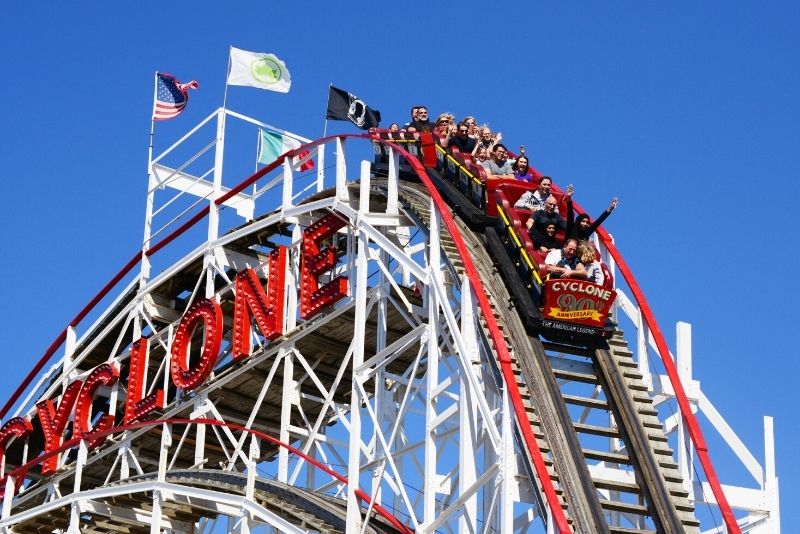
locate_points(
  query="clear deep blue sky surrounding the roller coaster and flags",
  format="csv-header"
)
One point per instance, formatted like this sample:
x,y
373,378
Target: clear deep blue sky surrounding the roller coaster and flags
x,y
688,111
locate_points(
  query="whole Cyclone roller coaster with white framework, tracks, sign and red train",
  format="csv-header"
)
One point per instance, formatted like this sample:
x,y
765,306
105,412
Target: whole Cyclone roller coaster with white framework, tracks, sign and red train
x,y
368,351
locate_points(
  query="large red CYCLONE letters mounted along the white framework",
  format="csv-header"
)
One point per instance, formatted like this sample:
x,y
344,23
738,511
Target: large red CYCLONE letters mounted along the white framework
x,y
253,306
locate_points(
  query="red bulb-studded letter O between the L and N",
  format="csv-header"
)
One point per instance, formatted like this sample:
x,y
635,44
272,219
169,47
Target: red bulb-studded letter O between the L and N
x,y
209,313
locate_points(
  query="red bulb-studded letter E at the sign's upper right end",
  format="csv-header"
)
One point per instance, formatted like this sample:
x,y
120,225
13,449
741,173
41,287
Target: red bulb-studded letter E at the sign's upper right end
x,y
316,261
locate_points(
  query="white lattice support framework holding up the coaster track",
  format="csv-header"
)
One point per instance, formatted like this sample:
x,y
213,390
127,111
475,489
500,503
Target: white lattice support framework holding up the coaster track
x,y
433,444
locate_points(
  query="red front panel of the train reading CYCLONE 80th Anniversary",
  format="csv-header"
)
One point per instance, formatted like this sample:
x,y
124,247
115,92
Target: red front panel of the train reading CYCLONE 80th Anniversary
x,y
577,301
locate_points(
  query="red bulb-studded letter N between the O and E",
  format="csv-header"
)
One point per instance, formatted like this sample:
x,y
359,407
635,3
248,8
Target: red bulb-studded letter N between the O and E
x,y
267,308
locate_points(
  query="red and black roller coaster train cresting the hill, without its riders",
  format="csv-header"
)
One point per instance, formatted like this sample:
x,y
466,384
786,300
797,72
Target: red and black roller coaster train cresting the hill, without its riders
x,y
565,310
